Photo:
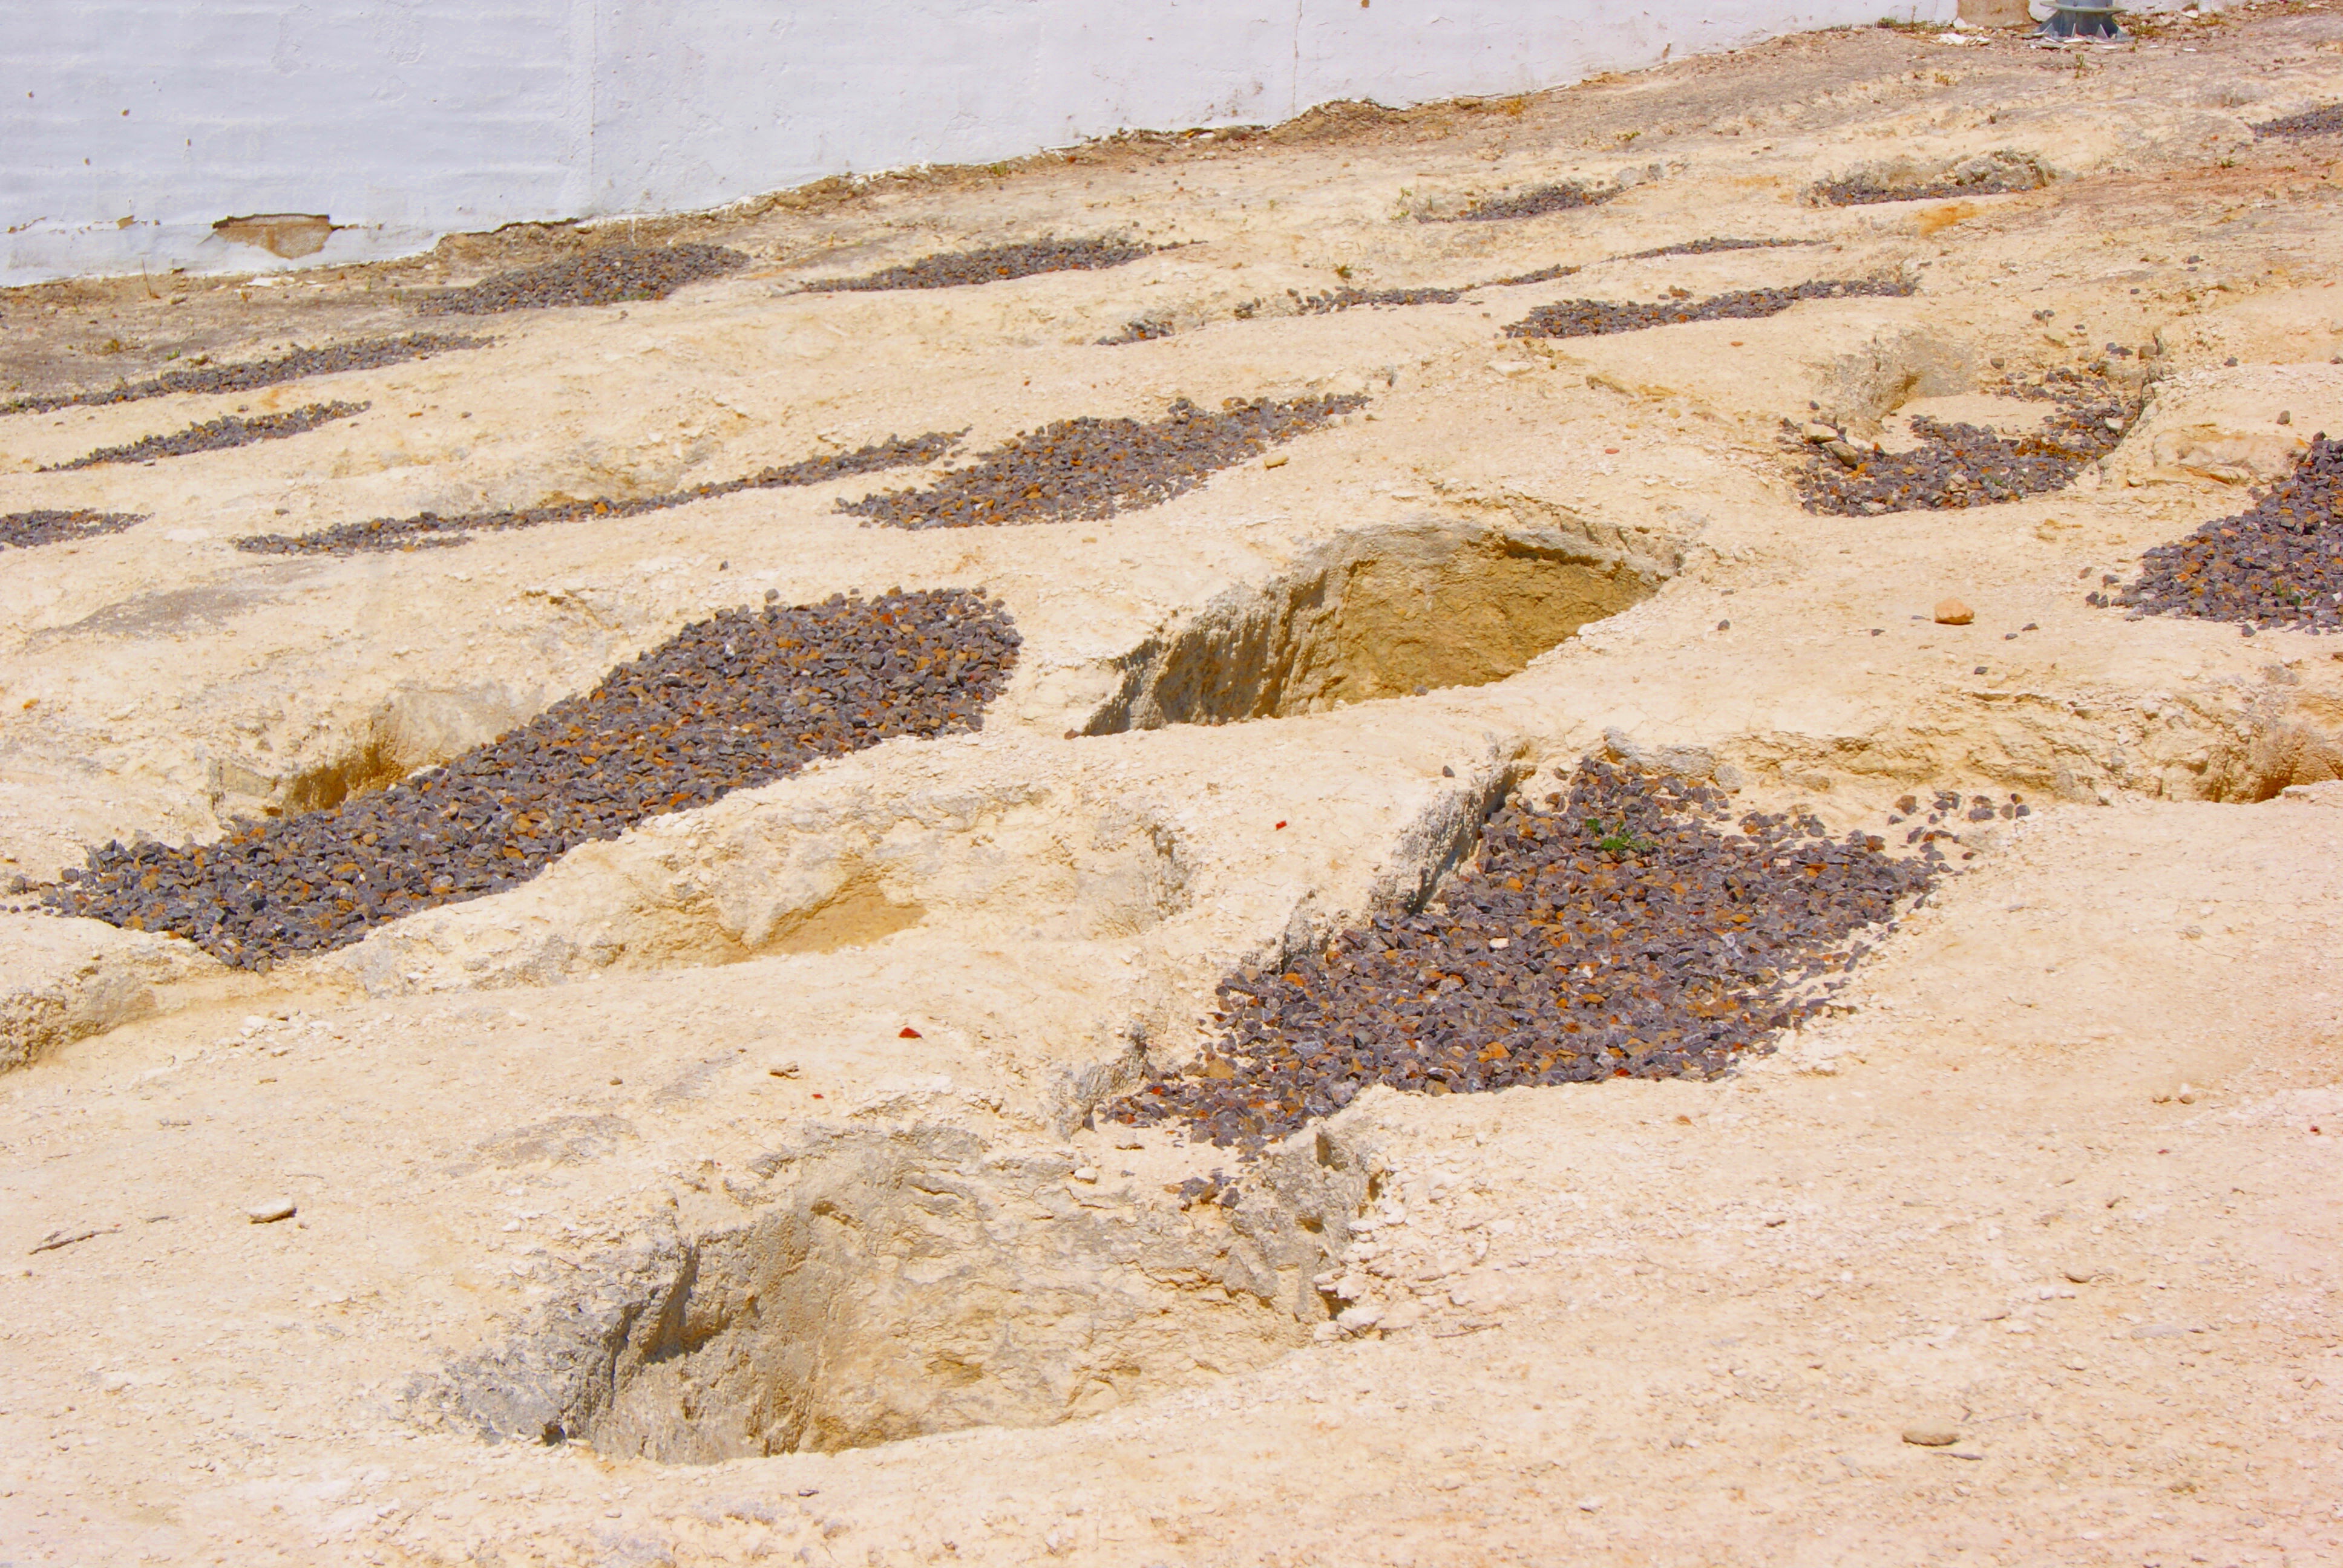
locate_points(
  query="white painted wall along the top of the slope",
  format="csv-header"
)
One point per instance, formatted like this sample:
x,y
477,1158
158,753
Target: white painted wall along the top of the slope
x,y
130,125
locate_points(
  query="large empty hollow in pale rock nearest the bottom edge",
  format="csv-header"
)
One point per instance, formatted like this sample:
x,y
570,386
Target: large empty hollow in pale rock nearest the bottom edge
x,y
896,1283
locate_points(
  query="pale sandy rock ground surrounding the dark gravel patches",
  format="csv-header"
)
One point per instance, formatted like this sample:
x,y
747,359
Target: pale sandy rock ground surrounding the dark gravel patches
x,y
629,1225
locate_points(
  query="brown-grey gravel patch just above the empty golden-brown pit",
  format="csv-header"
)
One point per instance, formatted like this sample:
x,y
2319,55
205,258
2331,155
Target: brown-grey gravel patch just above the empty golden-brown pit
x,y
1088,470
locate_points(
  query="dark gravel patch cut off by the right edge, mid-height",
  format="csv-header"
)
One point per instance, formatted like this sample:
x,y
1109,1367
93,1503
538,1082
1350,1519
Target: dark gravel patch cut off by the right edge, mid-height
x,y
2276,564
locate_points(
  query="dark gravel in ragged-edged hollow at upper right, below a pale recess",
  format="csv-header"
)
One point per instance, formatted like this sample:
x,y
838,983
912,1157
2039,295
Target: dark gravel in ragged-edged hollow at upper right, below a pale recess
x,y
1967,465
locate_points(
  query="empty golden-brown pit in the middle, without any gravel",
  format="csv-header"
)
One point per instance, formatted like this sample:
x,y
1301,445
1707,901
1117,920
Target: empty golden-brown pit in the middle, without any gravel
x,y
1379,613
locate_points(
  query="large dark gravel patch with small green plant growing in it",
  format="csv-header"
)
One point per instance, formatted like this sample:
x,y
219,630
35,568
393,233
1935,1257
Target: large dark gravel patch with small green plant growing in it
x,y
1644,941
